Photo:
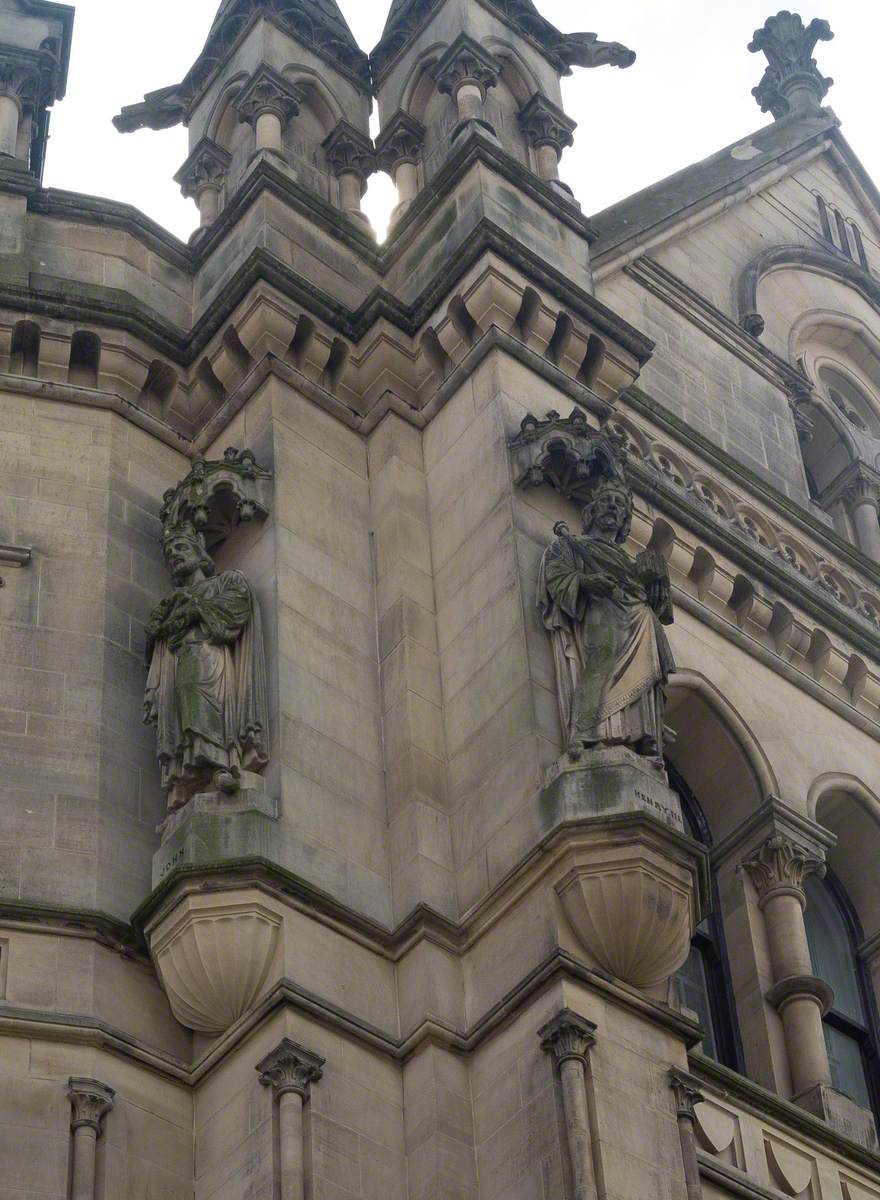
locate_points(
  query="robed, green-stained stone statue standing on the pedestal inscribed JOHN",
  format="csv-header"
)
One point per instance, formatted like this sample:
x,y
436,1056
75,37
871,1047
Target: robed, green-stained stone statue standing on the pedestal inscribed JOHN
x,y
206,692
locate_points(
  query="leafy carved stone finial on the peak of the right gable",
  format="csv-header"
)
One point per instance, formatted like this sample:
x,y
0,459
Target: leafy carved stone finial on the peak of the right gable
x,y
792,85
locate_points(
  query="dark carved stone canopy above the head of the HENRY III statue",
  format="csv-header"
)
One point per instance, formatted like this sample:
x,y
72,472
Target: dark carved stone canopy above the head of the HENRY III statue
x,y
567,454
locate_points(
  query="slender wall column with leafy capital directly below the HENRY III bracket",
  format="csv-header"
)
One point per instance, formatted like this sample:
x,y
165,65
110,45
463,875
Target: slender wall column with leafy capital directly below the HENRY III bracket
x,y
568,1039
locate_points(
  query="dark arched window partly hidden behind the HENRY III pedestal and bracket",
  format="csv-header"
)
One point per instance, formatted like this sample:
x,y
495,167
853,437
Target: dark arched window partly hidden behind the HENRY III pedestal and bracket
x,y
704,982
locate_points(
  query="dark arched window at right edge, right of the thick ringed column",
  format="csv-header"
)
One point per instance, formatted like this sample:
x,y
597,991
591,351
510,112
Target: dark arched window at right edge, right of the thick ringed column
x,y
851,1027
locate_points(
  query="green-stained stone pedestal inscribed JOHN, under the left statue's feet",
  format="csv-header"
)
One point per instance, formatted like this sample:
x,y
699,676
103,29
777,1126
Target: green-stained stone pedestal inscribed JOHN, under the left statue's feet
x,y
214,829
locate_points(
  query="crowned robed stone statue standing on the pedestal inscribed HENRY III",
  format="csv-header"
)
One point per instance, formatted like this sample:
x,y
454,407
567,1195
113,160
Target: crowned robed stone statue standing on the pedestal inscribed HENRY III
x,y
606,611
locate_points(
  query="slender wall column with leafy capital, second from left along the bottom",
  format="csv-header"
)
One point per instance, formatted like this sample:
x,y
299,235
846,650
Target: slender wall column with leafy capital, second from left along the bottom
x,y
291,1071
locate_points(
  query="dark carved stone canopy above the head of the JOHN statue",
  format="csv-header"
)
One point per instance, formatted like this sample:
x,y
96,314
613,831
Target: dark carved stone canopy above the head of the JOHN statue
x,y
218,496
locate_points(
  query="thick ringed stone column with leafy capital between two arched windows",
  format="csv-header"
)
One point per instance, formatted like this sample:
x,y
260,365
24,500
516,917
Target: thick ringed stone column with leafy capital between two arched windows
x,y
779,869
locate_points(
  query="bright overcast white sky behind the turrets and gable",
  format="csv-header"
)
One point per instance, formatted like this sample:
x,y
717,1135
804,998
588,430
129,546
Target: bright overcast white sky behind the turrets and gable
x,y
687,97
